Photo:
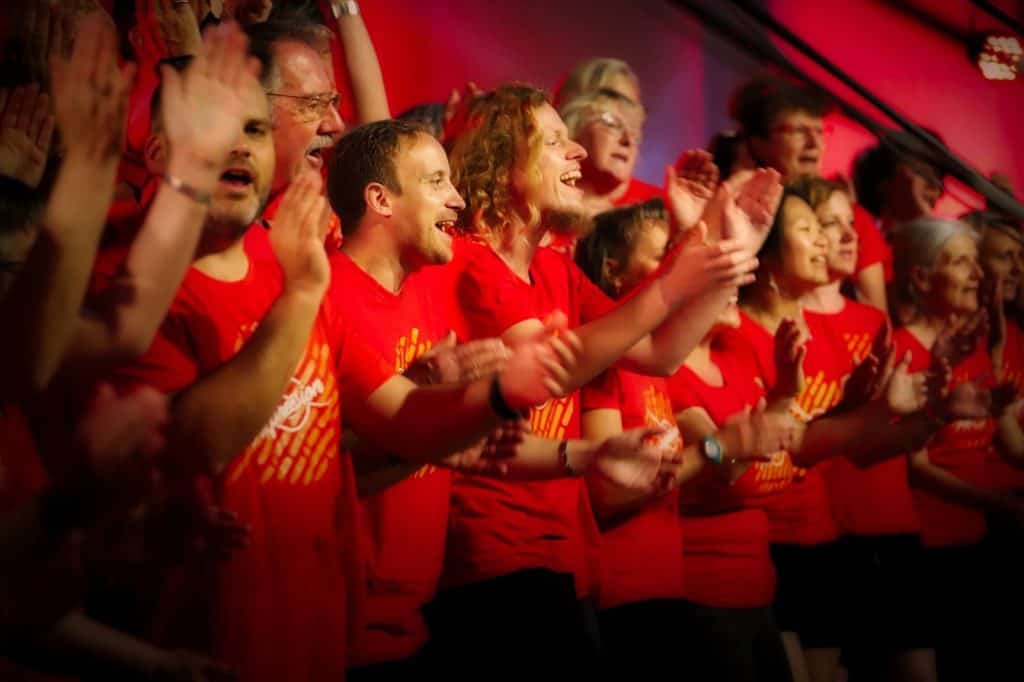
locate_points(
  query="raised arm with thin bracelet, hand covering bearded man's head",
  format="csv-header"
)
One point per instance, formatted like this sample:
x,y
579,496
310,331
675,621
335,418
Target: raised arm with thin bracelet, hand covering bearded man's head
x,y
202,115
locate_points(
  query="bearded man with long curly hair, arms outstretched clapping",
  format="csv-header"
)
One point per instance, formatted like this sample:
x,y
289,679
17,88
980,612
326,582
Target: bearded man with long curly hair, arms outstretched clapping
x,y
520,553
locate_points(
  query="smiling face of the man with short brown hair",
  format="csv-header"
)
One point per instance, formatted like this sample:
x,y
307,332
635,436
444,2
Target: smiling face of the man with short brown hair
x,y
428,204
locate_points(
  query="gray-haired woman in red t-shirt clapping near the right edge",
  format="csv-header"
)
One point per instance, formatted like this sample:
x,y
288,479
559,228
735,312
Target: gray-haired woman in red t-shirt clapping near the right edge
x,y
937,274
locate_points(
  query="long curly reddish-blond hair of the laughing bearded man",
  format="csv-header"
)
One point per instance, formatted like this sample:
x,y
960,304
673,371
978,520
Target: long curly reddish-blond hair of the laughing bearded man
x,y
502,126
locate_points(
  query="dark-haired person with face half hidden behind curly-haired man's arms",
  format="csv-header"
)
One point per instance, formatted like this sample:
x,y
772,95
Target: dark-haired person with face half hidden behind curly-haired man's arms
x,y
644,583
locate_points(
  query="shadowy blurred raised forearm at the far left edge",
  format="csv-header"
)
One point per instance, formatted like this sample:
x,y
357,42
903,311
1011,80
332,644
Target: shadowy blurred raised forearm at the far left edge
x,y
47,299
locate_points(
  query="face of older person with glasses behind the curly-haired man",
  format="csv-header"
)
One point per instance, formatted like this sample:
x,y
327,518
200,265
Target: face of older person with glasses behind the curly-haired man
x,y
612,137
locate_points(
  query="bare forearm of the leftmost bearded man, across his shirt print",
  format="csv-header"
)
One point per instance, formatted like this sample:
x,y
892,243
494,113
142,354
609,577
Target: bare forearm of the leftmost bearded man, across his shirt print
x,y
210,419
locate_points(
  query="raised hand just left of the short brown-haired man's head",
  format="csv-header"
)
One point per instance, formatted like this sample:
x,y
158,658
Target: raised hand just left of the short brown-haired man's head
x,y
297,237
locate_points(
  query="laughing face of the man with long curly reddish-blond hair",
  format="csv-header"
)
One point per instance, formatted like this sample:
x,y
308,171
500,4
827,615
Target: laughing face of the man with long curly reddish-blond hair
x,y
547,180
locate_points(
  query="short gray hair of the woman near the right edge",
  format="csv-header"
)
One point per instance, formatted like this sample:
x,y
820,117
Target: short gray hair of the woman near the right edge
x,y
919,244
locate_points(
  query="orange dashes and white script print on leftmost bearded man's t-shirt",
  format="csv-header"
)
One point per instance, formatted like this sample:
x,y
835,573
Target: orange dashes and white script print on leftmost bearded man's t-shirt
x,y
300,441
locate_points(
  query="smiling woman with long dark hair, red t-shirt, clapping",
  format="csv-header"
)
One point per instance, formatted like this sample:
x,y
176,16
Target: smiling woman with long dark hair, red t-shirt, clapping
x,y
794,264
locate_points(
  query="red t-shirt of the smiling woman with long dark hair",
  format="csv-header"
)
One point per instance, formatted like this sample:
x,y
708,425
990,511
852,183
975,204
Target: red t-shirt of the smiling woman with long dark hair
x,y
800,514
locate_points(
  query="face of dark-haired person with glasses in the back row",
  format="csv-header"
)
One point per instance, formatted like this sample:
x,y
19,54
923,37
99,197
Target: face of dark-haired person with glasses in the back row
x,y
795,145
